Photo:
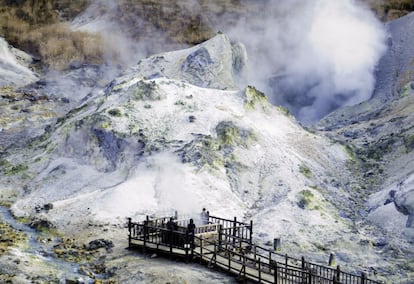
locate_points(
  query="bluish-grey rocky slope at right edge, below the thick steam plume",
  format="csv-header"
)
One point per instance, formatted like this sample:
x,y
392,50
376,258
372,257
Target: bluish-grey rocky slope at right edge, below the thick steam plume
x,y
380,132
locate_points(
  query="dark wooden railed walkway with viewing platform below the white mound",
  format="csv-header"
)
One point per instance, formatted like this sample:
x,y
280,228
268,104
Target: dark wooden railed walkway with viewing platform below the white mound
x,y
227,245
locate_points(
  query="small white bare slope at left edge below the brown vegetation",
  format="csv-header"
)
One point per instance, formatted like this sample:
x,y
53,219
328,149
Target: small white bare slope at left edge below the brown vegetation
x,y
14,69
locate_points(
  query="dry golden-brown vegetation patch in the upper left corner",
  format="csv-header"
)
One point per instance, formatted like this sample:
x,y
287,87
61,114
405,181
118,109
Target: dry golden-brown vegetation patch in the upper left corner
x,y
36,27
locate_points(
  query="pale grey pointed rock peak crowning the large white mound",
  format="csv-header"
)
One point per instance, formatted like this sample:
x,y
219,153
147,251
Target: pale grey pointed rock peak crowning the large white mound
x,y
215,63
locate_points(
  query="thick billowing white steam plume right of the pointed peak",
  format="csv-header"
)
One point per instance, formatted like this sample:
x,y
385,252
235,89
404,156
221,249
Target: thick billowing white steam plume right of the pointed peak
x,y
313,55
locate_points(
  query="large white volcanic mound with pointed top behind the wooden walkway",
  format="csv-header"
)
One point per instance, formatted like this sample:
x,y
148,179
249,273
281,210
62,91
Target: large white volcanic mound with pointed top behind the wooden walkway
x,y
184,139
